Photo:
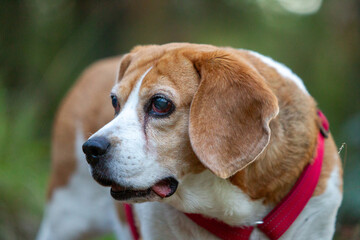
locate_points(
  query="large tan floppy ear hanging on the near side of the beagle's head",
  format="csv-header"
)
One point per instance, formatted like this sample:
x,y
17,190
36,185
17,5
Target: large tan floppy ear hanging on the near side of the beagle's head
x,y
230,112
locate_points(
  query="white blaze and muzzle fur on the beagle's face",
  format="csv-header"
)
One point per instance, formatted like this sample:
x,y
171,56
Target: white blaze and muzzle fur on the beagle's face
x,y
130,162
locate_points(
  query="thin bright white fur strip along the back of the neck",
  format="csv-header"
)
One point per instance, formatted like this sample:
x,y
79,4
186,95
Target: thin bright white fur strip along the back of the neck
x,y
282,70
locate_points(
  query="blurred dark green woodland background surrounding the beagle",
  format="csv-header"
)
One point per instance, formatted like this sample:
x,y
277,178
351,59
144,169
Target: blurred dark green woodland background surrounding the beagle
x,y
44,46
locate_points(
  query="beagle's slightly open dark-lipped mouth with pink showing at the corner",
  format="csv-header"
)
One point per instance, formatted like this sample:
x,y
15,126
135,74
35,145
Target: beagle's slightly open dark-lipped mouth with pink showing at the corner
x,y
163,188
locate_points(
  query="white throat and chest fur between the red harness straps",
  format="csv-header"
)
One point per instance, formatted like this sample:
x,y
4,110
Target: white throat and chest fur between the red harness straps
x,y
201,193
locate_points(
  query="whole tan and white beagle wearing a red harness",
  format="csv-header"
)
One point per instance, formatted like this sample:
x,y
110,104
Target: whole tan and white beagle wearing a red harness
x,y
205,142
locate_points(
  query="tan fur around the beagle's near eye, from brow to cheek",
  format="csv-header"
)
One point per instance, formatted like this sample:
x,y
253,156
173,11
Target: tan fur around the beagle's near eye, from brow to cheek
x,y
174,77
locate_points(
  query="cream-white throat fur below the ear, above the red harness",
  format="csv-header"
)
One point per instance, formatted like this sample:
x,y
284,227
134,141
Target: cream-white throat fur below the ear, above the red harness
x,y
207,194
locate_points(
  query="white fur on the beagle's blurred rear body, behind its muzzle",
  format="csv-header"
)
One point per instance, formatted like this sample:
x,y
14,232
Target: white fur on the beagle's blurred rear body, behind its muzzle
x,y
81,208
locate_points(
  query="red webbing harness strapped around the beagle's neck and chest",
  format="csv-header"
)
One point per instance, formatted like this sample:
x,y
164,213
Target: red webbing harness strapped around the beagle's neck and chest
x,y
275,224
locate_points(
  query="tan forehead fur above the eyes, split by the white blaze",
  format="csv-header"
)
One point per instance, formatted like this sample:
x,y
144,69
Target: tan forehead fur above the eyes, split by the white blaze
x,y
169,74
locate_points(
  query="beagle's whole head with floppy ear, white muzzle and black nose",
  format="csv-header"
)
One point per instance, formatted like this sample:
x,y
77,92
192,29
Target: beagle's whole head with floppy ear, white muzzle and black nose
x,y
180,109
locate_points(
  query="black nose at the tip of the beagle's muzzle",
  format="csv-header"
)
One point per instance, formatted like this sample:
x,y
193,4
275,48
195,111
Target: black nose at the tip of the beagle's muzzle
x,y
94,148
